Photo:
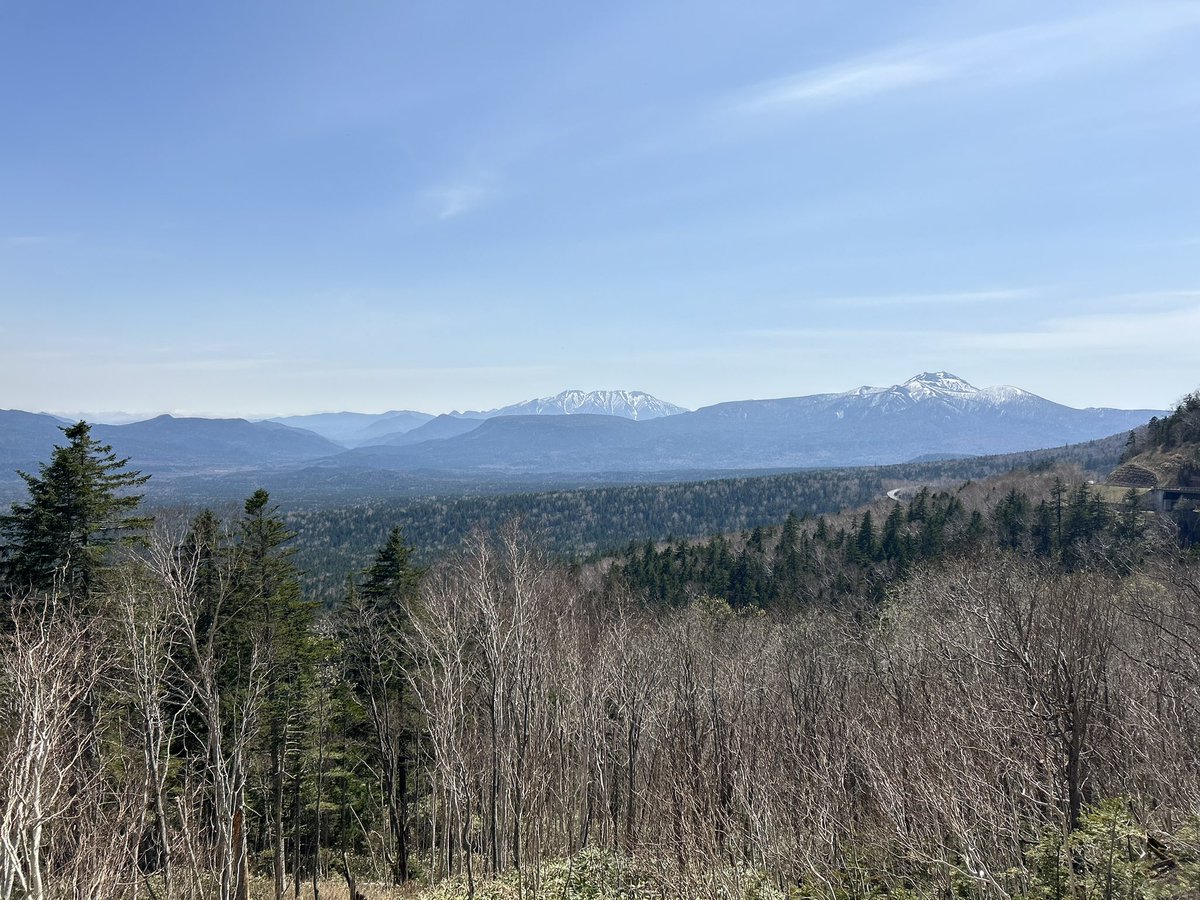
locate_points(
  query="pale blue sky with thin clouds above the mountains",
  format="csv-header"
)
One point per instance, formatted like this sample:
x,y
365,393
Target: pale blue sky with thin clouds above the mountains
x,y
280,208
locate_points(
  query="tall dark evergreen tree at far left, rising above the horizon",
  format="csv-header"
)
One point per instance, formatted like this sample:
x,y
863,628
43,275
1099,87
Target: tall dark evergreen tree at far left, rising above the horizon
x,y
80,509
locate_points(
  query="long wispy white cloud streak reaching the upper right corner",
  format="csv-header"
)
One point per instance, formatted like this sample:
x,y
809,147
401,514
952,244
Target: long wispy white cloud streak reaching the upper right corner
x,y
1021,55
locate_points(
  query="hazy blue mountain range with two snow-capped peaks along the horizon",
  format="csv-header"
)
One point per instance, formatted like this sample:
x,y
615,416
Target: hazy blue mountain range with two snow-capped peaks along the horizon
x,y
932,415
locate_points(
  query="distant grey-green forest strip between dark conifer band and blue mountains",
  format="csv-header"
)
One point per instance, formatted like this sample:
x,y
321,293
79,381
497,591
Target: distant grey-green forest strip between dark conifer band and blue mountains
x,y
335,539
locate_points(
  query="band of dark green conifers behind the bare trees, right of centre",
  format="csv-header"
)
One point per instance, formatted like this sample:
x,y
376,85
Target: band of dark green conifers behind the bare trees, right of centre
x,y
807,563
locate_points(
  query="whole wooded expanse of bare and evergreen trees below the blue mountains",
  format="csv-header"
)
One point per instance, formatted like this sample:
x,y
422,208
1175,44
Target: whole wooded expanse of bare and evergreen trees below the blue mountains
x,y
989,689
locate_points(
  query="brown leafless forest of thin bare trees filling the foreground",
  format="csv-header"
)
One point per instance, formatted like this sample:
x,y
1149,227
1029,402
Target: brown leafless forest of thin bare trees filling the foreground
x,y
956,741
